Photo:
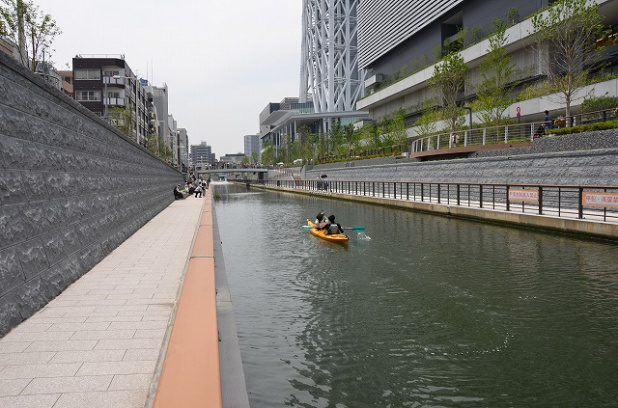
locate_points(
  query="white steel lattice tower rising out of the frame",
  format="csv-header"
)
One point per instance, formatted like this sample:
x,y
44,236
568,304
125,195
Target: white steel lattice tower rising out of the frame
x,y
329,59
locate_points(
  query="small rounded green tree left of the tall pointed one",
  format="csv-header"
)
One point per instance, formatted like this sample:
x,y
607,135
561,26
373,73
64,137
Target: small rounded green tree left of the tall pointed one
x,y
449,78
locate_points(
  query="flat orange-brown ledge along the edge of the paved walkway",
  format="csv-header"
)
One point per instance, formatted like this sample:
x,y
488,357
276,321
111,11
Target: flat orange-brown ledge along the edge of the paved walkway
x,y
191,375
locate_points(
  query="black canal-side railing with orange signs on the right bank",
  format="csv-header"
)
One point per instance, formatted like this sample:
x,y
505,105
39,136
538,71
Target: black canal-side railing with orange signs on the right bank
x,y
595,203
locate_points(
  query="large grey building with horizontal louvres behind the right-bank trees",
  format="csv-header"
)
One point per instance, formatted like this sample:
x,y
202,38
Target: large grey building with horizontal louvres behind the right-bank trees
x,y
400,43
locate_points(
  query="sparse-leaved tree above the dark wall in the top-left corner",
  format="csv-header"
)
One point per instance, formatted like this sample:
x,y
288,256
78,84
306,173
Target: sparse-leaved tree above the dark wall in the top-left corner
x,y
31,28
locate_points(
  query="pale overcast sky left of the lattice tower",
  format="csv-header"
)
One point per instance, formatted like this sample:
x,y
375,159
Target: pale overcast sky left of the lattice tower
x,y
223,61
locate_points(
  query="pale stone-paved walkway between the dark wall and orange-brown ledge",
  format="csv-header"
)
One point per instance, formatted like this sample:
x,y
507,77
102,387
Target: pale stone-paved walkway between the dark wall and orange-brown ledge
x,y
99,343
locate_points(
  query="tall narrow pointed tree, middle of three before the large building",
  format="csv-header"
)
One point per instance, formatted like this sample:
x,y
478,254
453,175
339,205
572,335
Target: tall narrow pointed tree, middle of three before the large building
x,y
494,94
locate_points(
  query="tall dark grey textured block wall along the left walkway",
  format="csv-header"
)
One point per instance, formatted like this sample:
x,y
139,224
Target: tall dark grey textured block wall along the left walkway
x,y
71,190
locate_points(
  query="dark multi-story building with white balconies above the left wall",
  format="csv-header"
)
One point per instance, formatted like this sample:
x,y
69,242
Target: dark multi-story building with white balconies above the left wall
x,y
102,83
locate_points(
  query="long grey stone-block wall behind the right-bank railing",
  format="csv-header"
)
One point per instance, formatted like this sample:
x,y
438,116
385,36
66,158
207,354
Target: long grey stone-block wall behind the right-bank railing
x,y
584,159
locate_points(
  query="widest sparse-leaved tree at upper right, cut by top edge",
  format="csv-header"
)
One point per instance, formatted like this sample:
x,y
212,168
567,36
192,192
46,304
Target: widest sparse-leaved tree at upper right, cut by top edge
x,y
566,41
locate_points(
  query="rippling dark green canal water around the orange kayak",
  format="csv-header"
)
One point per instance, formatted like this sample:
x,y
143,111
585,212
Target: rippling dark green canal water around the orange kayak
x,y
418,311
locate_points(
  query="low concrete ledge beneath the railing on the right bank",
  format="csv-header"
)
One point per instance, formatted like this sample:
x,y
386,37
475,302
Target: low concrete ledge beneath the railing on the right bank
x,y
584,228
